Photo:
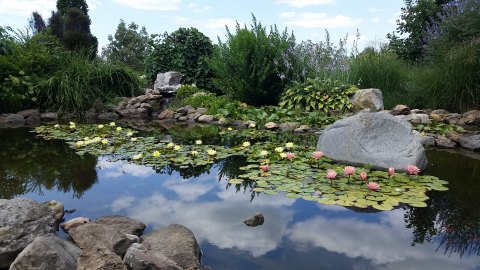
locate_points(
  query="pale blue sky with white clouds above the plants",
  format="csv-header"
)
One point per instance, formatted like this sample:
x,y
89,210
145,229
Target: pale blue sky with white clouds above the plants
x,y
308,19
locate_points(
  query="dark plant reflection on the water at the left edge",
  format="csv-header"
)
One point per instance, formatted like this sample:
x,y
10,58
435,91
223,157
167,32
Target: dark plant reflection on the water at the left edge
x,y
30,165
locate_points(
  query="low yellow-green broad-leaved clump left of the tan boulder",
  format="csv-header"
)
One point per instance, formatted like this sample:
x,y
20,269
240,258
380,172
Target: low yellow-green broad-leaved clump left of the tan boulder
x,y
318,94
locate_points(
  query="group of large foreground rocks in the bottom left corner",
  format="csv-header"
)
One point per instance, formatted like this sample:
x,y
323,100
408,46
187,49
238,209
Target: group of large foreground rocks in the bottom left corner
x,y
110,242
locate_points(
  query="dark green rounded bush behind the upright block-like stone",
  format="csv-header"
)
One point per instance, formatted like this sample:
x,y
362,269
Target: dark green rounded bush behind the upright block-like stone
x,y
186,51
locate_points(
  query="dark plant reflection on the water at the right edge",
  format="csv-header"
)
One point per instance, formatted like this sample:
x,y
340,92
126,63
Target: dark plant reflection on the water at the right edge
x,y
452,219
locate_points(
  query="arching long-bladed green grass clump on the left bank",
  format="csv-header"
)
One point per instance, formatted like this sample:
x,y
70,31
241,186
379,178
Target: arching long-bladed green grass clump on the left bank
x,y
78,81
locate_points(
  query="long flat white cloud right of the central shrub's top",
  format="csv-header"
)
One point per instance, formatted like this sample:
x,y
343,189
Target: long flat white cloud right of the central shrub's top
x,y
318,20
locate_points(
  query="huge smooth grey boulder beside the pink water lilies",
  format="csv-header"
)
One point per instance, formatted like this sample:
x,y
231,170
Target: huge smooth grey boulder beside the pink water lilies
x,y
379,139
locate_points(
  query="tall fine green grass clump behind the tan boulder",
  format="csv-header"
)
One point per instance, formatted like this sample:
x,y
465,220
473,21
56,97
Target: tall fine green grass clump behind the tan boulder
x,y
383,70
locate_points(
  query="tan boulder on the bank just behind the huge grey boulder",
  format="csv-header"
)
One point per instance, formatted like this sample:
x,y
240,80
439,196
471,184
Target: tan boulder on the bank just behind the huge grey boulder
x,y
369,99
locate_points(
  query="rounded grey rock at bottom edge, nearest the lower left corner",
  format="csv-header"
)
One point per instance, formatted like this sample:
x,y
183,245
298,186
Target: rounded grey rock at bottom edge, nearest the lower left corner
x,y
48,252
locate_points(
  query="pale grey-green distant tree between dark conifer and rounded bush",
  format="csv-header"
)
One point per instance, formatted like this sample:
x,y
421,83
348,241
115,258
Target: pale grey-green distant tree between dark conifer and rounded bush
x,y
128,46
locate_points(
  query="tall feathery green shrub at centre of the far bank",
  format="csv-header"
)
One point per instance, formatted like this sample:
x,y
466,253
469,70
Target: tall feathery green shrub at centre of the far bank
x,y
248,65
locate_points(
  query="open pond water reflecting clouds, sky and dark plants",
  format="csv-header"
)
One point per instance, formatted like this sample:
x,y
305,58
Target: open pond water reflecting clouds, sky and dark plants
x,y
297,234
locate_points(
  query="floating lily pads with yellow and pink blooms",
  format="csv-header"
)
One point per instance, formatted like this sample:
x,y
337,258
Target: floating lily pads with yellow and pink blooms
x,y
298,171
